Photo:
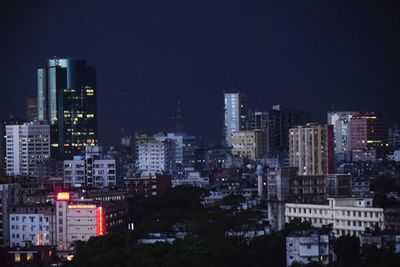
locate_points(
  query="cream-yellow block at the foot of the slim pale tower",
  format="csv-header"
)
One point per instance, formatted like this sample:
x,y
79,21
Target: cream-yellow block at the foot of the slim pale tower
x,y
249,144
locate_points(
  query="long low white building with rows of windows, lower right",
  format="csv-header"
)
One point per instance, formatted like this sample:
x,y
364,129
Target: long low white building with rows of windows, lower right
x,y
348,216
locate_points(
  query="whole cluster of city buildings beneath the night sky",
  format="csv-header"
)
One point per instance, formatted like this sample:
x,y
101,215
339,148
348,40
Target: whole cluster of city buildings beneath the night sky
x,y
64,187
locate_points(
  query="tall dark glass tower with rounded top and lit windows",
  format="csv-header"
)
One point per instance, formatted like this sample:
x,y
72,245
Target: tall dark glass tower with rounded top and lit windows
x,y
67,100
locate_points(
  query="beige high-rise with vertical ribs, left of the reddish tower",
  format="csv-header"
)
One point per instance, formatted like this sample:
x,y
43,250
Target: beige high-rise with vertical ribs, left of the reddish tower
x,y
311,149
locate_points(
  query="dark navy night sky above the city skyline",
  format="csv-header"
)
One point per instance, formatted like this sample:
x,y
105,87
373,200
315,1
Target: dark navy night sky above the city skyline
x,y
148,54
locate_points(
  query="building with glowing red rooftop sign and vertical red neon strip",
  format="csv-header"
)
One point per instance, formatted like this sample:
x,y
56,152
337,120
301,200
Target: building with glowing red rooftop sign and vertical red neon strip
x,y
77,219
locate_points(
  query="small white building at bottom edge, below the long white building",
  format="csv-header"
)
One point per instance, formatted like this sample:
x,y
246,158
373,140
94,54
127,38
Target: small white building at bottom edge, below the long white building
x,y
307,246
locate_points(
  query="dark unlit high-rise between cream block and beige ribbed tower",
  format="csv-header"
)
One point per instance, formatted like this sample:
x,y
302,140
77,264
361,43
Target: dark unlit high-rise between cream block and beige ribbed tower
x,y
279,122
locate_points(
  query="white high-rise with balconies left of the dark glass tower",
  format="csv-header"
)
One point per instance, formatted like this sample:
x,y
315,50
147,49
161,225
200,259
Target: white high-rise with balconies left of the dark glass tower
x,y
26,144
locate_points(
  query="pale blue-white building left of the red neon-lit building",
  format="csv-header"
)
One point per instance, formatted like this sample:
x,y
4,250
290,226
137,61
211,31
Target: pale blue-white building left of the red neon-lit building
x,y
32,223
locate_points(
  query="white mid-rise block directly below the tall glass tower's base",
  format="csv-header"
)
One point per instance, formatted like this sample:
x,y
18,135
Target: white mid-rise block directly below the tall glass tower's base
x,y
93,170
